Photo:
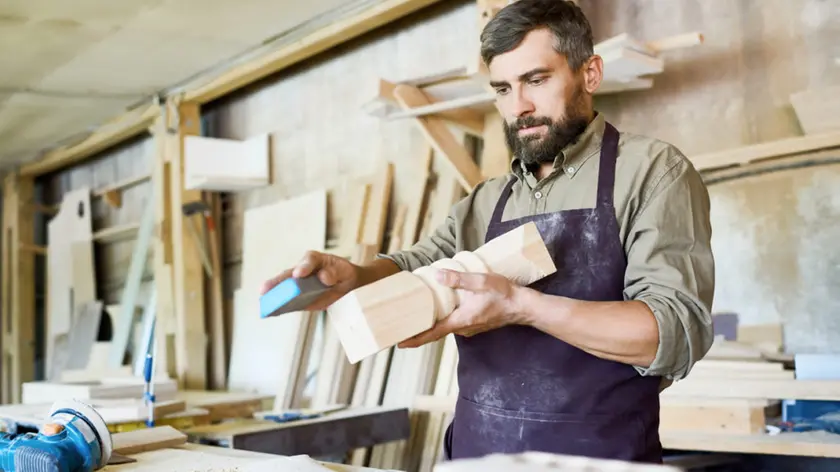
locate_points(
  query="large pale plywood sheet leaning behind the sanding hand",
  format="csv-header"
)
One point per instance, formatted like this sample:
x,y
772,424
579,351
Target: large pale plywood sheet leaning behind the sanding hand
x,y
275,237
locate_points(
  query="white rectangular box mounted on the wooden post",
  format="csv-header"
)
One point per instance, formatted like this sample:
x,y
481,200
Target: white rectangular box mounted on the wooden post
x,y
226,165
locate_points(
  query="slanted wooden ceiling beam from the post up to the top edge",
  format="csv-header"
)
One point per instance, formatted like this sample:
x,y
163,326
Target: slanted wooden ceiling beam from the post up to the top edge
x,y
322,39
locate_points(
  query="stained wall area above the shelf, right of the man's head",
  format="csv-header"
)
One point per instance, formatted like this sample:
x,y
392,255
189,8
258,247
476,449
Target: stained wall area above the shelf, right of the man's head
x,y
734,89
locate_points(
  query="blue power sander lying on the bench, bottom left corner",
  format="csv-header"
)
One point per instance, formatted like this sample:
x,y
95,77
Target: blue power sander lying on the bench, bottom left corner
x,y
74,439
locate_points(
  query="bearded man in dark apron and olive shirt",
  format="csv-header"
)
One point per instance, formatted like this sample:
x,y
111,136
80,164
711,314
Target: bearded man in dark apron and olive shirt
x,y
574,363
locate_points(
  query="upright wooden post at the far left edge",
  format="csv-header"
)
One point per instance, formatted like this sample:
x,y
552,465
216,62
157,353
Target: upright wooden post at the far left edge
x,y
17,297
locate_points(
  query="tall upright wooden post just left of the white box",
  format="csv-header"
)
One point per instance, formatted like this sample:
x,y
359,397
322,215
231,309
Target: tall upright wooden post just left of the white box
x,y
187,270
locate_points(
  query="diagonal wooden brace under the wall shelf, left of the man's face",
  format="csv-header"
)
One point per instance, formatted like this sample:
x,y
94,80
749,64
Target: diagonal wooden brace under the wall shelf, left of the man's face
x,y
441,138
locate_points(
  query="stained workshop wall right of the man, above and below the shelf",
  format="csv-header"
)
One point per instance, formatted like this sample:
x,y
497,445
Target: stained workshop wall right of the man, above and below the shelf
x,y
770,232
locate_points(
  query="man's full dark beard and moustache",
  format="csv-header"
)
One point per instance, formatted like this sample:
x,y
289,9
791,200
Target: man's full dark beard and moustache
x,y
535,150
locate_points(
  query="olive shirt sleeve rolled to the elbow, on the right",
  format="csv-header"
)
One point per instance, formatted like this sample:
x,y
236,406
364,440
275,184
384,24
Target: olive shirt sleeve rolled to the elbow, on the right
x,y
670,267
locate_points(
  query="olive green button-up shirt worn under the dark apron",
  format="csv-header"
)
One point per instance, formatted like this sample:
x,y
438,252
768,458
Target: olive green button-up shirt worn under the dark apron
x,y
662,208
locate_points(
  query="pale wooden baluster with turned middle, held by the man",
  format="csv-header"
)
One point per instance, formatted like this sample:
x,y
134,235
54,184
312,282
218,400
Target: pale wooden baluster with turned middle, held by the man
x,y
380,315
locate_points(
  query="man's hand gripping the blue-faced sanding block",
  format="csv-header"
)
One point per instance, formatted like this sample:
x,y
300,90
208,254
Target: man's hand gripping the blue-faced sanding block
x,y
333,271
